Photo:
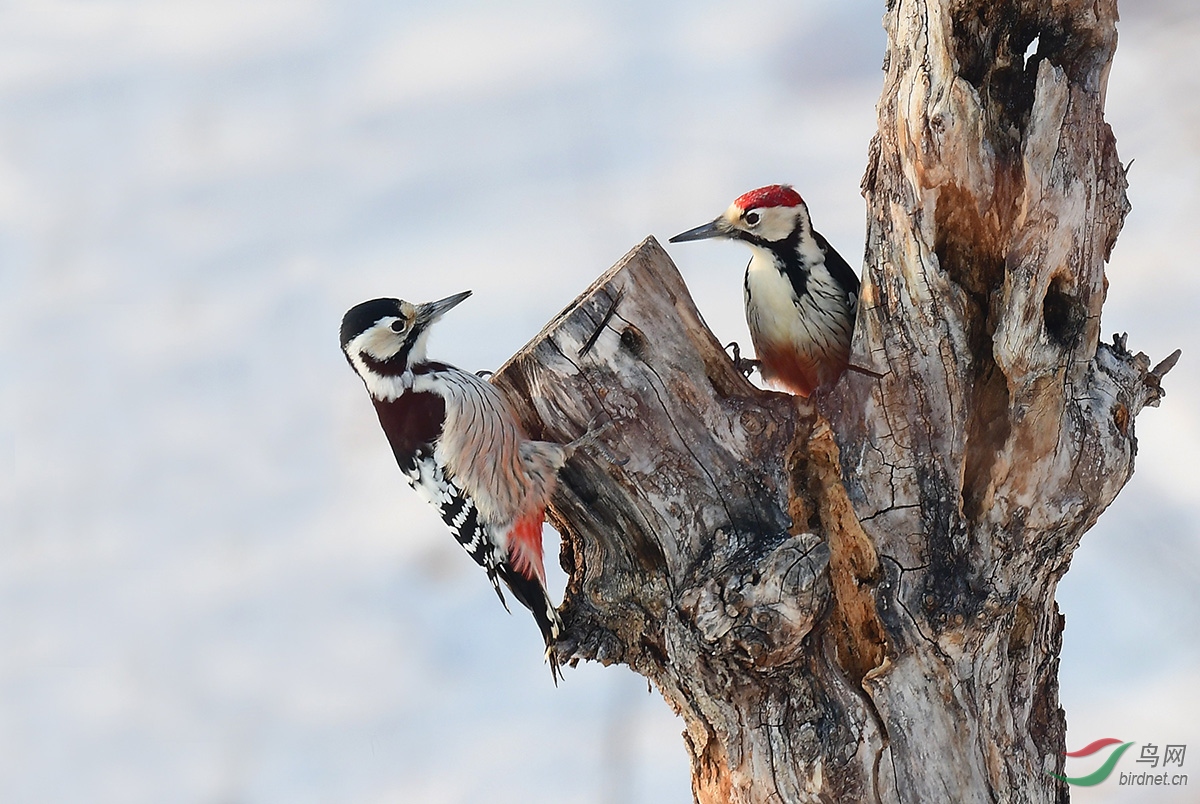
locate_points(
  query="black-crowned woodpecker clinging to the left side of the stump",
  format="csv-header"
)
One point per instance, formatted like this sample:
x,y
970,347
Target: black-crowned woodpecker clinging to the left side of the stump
x,y
461,448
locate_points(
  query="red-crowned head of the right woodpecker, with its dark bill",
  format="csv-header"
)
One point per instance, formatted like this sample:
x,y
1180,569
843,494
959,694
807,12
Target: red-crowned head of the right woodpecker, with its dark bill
x,y
764,218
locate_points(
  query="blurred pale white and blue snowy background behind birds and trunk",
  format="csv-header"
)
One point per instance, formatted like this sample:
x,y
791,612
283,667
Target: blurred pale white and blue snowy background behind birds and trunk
x,y
215,586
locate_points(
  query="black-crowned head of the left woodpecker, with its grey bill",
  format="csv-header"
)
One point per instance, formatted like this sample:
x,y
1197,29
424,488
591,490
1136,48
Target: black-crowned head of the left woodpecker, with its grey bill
x,y
387,337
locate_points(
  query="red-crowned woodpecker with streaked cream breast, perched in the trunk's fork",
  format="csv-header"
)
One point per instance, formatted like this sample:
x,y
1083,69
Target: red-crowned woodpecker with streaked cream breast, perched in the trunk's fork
x,y
800,293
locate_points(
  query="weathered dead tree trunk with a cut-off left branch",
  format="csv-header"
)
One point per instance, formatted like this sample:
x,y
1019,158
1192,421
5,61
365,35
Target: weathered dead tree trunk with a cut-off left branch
x,y
851,599
